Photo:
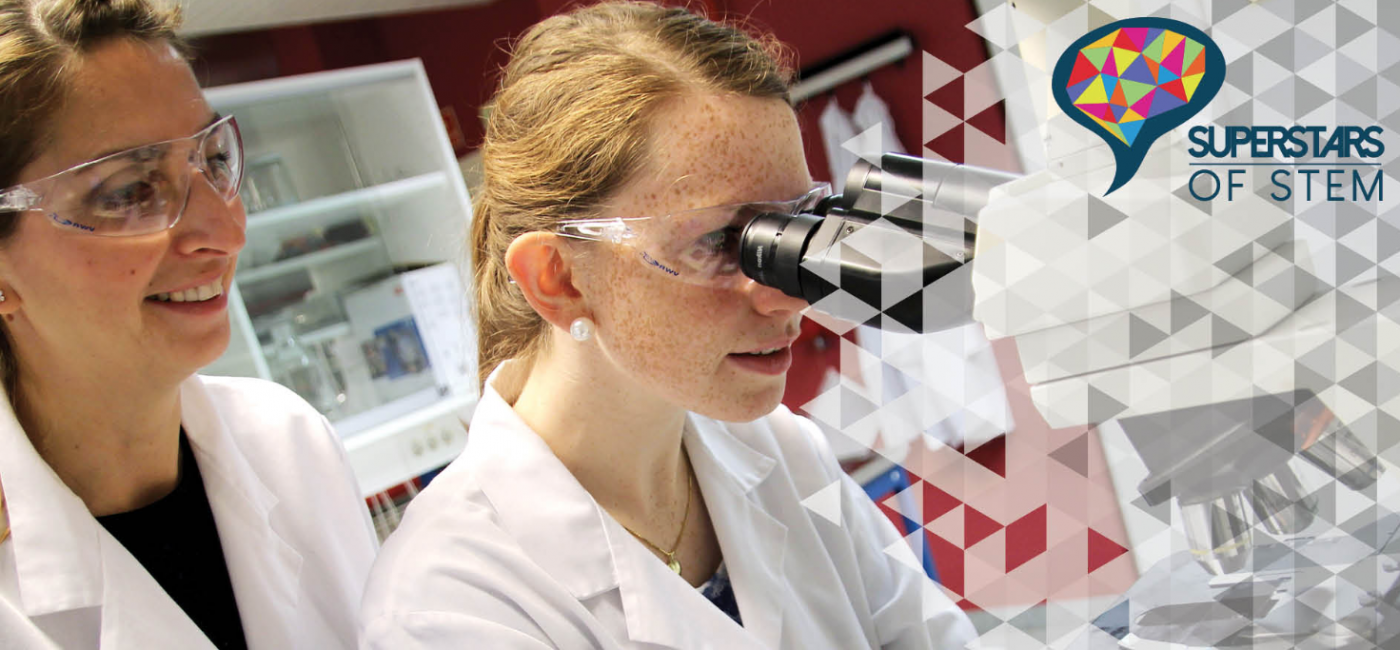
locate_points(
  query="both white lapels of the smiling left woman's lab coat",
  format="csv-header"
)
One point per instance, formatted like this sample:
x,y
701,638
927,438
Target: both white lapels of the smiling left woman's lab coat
x,y
66,561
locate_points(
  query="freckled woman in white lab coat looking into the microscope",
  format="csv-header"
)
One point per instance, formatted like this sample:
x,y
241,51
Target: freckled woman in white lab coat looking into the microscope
x,y
629,478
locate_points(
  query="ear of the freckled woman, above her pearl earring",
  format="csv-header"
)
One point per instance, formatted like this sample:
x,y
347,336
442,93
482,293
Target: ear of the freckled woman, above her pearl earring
x,y
542,267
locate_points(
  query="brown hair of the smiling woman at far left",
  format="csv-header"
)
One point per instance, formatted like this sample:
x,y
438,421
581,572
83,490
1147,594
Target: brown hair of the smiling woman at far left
x,y
40,43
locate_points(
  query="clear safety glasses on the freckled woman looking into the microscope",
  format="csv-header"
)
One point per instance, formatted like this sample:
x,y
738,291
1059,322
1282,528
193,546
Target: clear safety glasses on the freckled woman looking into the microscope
x,y
701,246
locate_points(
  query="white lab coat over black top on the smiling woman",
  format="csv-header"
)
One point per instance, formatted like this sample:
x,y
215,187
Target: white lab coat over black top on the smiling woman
x,y
295,530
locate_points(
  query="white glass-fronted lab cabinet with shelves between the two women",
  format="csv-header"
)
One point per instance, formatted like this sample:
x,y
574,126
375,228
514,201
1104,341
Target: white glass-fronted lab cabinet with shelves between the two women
x,y
351,184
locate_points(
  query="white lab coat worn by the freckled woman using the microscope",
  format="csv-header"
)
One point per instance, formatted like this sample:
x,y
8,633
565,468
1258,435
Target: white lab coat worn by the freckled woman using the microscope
x,y
506,550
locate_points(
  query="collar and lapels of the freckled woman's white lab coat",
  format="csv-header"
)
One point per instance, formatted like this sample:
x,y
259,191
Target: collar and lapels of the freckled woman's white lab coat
x,y
580,546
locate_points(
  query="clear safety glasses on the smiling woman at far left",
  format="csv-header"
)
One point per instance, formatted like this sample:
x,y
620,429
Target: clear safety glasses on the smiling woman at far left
x,y
139,191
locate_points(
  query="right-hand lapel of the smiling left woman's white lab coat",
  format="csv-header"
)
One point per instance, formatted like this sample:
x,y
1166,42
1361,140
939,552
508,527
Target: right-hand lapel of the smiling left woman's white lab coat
x,y
265,571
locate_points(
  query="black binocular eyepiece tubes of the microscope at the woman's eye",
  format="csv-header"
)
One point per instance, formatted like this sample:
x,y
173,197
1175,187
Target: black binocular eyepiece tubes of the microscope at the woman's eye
x,y
919,214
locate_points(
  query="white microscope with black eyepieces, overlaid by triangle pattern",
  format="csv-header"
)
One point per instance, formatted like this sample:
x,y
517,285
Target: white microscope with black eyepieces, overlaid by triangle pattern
x,y
1213,344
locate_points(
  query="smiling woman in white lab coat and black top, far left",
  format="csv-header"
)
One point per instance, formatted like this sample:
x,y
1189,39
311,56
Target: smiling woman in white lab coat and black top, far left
x,y
145,508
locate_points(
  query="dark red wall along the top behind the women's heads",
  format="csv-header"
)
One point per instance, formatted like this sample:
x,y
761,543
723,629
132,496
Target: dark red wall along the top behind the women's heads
x,y
464,48
